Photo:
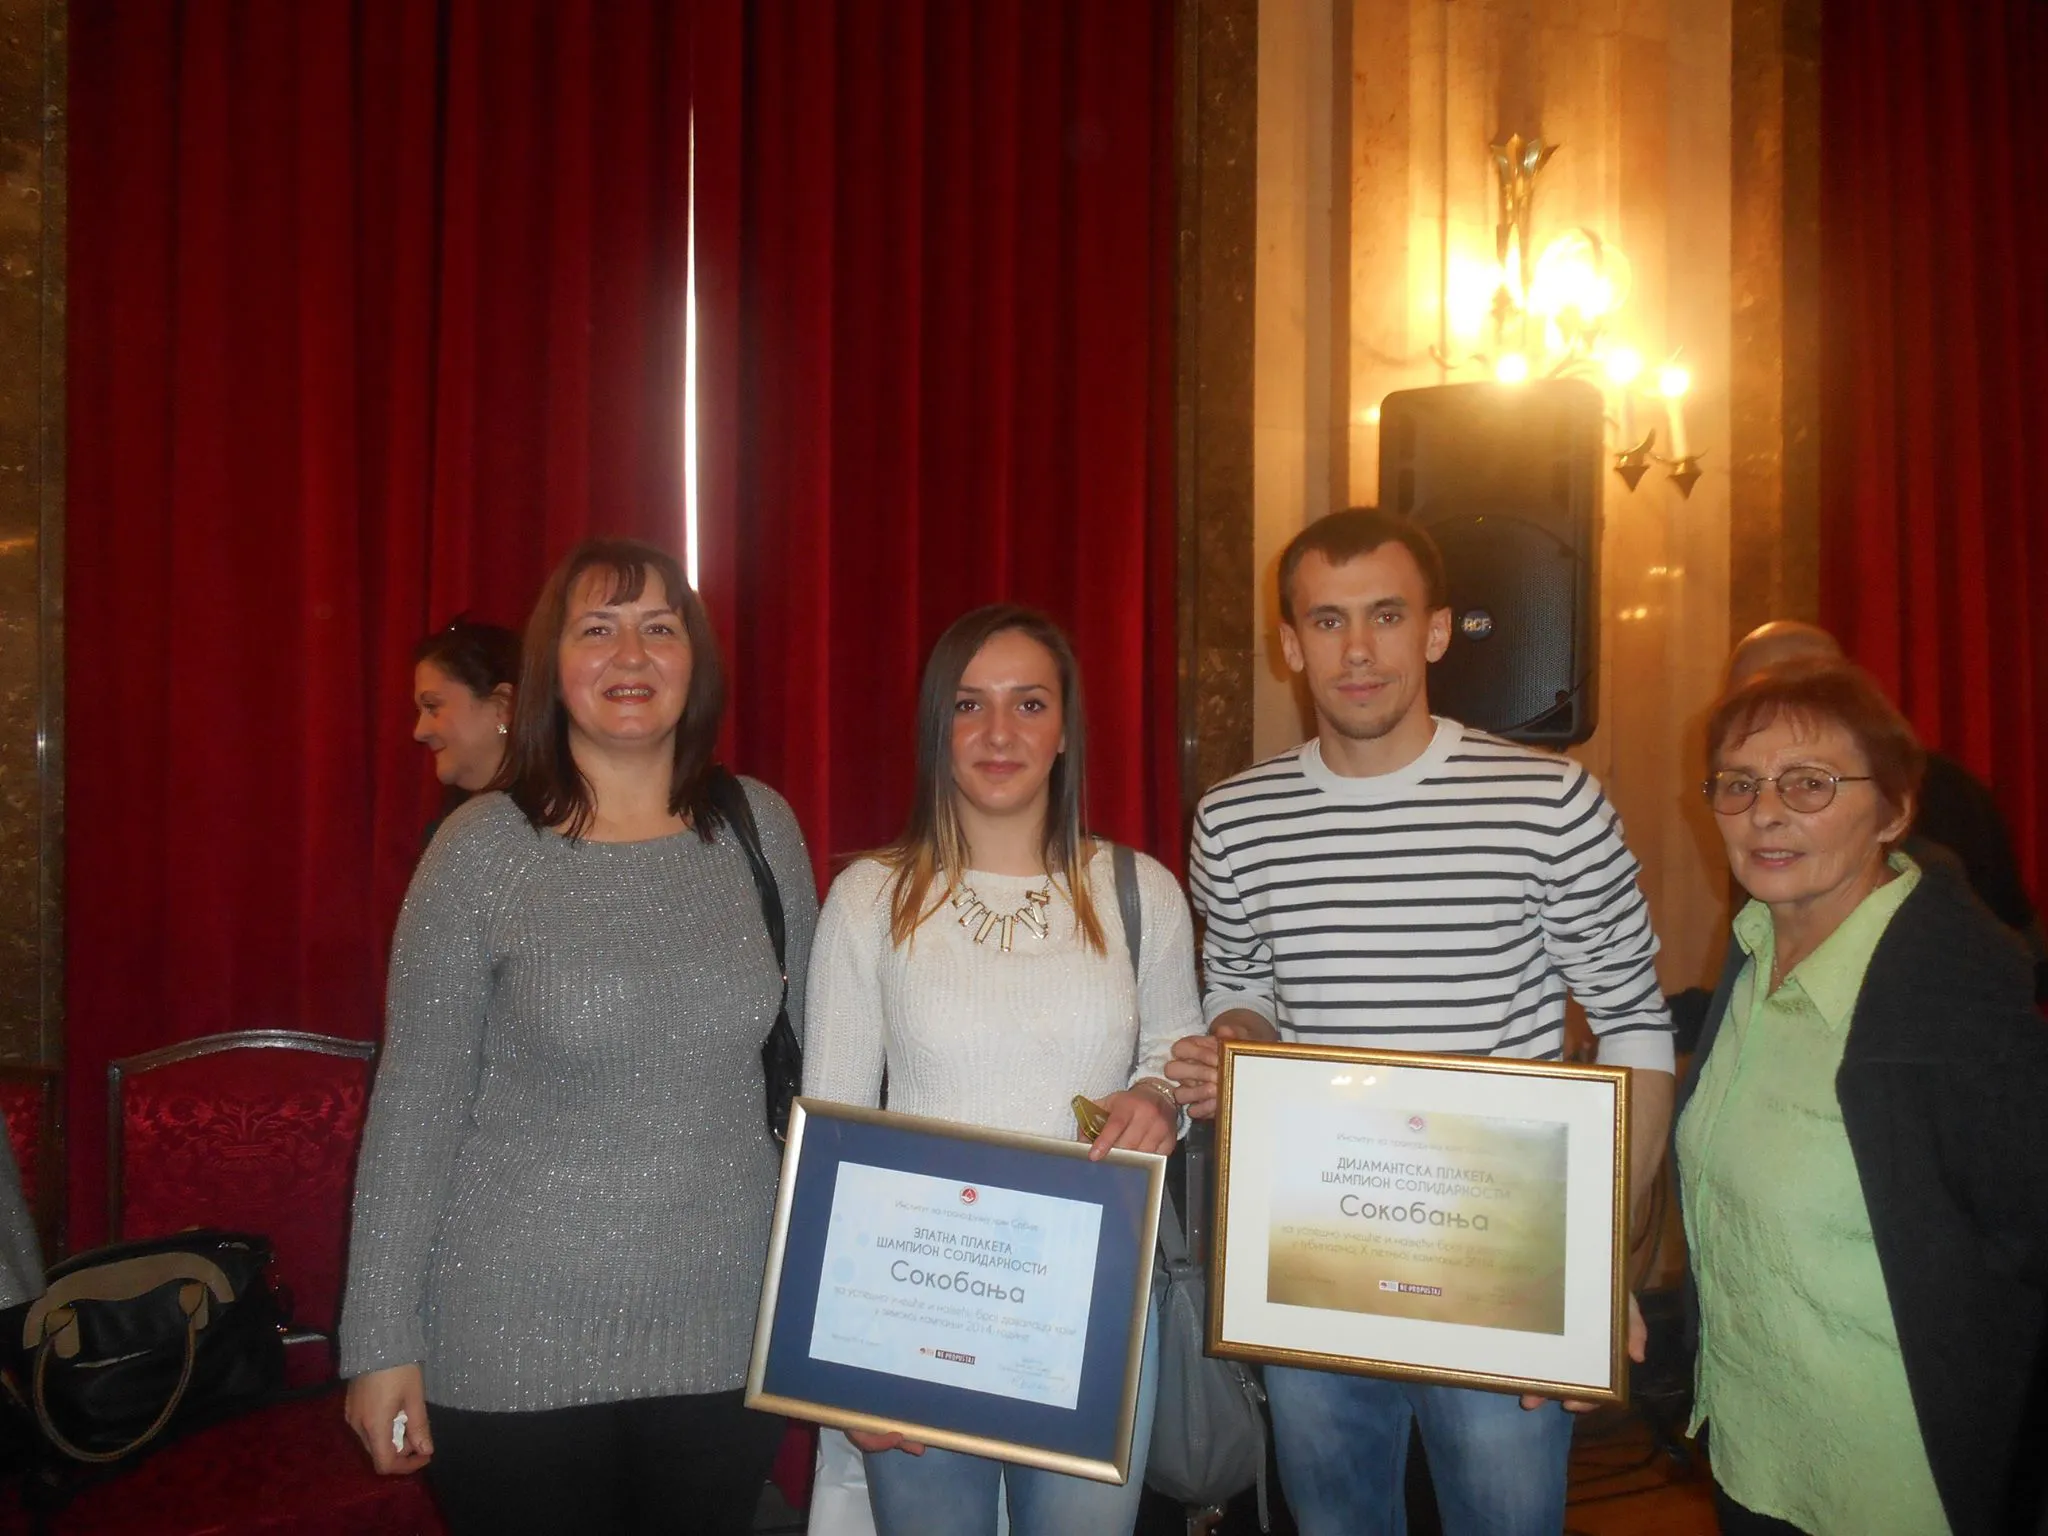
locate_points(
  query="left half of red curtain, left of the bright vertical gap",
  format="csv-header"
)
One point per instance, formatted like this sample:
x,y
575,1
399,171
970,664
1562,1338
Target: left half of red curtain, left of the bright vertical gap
x,y
374,310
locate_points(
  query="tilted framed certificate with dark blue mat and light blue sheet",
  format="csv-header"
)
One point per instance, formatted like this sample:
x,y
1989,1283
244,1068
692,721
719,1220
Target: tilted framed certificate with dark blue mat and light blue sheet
x,y
837,1347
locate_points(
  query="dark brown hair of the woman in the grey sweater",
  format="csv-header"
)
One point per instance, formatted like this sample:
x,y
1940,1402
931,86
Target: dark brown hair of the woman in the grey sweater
x,y
540,771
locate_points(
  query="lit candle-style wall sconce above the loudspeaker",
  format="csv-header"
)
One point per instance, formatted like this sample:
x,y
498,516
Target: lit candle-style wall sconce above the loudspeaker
x,y
1555,314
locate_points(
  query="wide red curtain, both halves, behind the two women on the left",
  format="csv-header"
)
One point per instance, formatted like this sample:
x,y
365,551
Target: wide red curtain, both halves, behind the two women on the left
x,y
378,306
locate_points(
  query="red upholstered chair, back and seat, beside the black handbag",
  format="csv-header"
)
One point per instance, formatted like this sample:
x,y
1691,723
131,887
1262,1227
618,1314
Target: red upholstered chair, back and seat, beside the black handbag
x,y
253,1132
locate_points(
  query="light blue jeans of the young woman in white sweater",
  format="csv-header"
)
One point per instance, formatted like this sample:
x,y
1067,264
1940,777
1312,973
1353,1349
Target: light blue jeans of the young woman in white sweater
x,y
951,1494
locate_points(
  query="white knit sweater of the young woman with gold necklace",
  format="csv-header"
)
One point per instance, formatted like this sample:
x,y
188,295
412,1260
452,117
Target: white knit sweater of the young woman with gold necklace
x,y
1000,1041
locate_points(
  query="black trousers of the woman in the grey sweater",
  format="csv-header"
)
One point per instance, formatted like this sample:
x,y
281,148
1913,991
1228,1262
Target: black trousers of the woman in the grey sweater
x,y
648,1465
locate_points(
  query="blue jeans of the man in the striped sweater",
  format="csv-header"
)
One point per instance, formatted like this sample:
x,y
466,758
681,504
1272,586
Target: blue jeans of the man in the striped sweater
x,y
1342,1449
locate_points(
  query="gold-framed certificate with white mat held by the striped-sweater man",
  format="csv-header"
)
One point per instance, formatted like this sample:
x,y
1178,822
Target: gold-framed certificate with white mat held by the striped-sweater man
x,y
1447,1220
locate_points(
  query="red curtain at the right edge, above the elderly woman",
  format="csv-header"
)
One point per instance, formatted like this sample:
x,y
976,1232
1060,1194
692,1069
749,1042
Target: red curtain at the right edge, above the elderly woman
x,y
1936,378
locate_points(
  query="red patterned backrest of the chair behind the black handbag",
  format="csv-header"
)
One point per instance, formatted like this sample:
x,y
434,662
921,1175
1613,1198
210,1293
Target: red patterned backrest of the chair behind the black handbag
x,y
253,1132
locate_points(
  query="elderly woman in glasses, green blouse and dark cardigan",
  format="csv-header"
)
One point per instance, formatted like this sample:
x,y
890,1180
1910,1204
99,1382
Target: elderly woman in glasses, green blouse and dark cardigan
x,y
1863,1148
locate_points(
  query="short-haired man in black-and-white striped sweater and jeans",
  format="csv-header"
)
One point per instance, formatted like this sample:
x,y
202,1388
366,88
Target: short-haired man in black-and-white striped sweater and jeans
x,y
1410,884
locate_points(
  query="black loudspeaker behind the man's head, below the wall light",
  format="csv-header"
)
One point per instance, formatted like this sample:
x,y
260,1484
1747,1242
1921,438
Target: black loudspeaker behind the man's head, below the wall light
x,y
1508,478
